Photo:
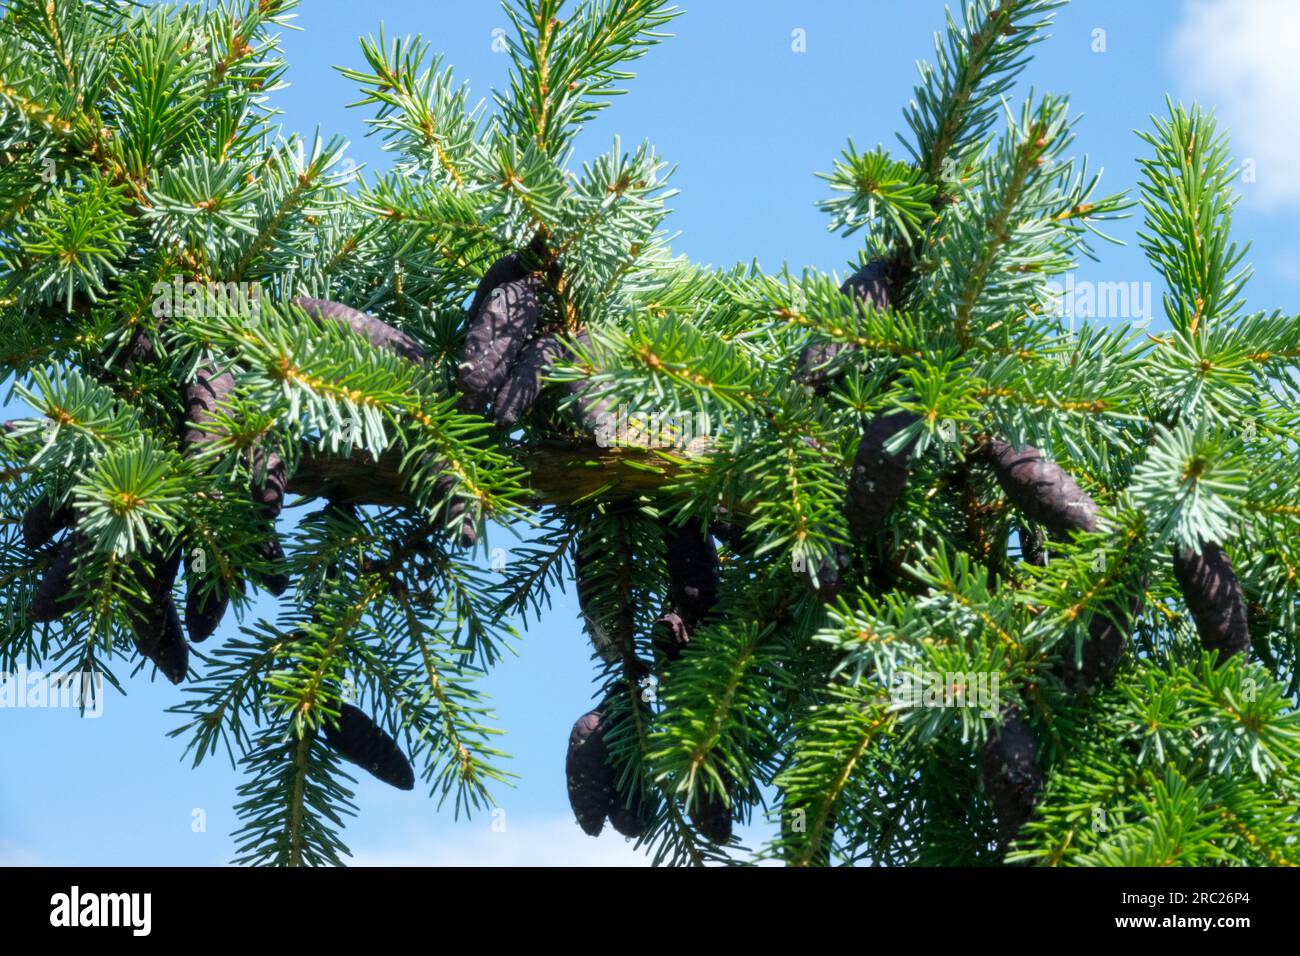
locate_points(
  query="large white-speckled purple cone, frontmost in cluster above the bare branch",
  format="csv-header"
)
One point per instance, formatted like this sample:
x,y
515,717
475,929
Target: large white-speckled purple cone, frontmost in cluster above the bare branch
x,y
499,331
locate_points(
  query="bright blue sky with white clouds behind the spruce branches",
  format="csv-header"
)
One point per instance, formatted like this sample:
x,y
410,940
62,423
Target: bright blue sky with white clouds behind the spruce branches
x,y
749,123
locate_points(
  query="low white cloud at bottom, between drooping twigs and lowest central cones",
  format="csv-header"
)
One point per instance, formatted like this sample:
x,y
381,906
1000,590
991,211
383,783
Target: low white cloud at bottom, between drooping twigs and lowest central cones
x,y
552,842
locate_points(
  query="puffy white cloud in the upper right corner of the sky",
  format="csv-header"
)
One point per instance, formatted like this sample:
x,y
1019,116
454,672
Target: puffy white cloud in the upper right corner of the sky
x,y
1243,58
